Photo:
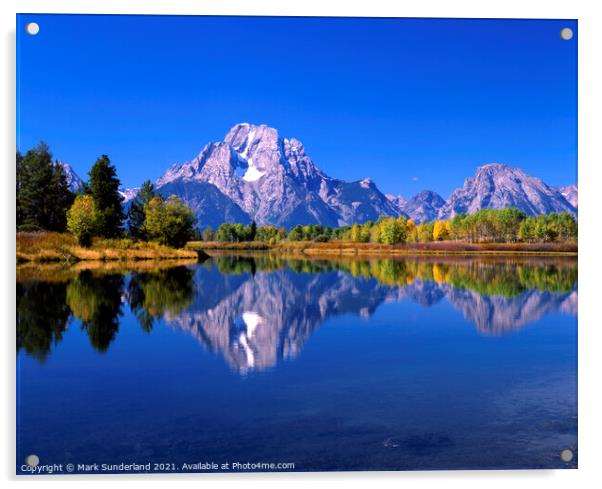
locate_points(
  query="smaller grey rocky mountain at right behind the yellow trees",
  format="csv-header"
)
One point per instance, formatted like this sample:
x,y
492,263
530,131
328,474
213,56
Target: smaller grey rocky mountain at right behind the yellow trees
x,y
496,186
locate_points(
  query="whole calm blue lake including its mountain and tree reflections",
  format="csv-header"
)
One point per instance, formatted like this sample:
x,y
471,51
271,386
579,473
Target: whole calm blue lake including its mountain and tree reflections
x,y
422,363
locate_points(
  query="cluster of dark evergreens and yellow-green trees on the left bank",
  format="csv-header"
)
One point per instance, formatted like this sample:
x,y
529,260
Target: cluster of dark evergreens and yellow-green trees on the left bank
x,y
45,202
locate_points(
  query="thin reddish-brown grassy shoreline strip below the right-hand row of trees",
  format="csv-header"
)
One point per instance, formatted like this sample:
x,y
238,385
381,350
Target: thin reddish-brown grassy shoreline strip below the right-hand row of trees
x,y
342,248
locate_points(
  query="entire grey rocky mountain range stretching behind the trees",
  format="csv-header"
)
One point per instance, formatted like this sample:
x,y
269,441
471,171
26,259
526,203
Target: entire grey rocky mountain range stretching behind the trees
x,y
257,174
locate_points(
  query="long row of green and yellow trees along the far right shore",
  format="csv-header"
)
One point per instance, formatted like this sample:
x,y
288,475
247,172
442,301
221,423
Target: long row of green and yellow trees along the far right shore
x,y
508,225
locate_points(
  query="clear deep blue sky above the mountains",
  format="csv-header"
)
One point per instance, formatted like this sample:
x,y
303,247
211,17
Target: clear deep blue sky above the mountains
x,y
411,103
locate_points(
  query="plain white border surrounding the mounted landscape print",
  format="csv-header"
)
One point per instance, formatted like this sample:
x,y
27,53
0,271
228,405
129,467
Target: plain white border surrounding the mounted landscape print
x,y
590,159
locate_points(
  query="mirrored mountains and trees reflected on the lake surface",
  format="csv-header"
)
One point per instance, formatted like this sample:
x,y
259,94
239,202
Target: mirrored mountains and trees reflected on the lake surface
x,y
256,310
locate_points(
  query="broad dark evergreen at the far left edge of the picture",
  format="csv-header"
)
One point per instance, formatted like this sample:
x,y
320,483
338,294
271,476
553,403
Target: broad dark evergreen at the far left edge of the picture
x,y
43,196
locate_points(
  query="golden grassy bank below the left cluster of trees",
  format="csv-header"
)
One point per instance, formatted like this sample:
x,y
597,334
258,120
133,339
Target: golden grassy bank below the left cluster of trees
x,y
47,247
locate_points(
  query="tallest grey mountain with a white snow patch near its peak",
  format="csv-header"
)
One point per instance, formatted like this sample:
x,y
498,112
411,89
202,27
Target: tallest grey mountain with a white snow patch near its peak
x,y
256,174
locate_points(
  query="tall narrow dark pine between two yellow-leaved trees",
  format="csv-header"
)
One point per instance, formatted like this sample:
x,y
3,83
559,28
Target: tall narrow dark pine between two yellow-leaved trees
x,y
104,188
